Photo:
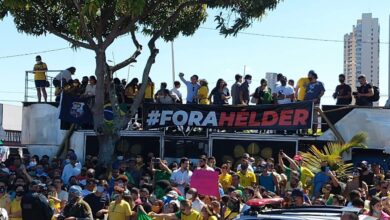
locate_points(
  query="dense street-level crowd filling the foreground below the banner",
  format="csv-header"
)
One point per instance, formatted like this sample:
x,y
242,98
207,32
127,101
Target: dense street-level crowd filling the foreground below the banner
x,y
137,187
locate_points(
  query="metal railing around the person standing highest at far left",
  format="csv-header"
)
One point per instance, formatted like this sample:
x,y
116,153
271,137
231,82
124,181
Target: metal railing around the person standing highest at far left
x,y
30,93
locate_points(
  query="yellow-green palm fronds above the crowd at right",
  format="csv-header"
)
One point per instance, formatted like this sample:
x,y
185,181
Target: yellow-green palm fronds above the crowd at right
x,y
332,154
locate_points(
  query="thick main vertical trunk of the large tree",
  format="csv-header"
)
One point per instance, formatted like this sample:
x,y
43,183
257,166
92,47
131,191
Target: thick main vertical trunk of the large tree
x,y
105,137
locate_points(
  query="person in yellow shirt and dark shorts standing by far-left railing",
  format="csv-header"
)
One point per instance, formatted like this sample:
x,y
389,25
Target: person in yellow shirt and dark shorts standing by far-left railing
x,y
40,69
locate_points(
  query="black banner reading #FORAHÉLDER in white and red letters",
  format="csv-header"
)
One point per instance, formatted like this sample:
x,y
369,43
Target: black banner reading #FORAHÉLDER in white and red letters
x,y
268,117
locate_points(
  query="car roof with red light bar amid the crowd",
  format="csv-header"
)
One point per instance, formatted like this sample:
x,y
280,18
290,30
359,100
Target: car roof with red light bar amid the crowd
x,y
272,209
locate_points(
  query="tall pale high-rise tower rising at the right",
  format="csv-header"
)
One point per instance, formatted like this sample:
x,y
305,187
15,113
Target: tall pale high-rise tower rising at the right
x,y
361,51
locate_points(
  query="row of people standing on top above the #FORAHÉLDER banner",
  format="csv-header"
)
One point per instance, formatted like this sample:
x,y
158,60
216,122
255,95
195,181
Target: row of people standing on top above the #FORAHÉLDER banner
x,y
284,91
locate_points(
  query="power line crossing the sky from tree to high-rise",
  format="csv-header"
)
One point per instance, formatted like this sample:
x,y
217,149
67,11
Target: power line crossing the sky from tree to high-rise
x,y
294,37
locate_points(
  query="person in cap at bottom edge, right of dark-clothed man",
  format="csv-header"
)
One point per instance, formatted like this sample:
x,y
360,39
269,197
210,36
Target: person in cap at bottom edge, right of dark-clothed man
x,y
77,207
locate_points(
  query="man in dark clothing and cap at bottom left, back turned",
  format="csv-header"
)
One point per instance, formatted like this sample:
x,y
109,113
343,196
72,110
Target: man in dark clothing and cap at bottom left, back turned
x,y
35,204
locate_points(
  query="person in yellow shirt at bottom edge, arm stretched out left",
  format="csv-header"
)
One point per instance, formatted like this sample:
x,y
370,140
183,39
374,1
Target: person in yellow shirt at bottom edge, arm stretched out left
x,y
186,213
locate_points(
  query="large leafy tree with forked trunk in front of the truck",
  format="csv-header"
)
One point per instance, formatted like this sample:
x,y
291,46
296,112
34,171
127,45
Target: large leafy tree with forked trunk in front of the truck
x,y
95,24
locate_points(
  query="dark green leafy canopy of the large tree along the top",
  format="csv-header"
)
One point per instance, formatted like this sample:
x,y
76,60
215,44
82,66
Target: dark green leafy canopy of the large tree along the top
x,y
112,18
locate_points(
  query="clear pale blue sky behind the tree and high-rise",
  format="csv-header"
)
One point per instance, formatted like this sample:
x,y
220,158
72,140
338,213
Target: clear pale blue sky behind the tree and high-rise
x,y
213,56
